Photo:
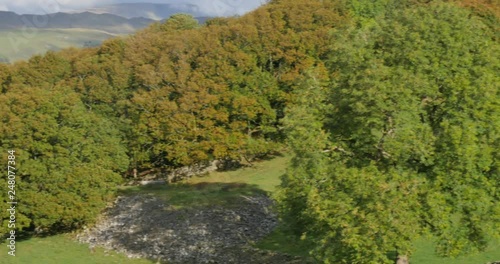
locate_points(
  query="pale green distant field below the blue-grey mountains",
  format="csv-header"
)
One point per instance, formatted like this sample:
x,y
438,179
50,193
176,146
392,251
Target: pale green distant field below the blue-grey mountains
x,y
21,45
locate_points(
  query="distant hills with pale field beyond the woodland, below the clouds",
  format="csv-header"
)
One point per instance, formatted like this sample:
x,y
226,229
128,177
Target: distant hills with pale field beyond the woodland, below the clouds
x,y
22,36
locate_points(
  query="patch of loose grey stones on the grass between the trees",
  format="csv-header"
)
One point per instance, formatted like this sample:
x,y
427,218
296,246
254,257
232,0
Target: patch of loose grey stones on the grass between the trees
x,y
144,226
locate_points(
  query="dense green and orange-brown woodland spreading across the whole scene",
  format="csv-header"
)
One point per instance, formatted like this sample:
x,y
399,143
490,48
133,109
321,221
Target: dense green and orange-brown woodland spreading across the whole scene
x,y
391,108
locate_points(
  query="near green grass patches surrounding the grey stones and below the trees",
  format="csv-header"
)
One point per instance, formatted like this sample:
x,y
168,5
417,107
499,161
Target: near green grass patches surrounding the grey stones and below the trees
x,y
217,188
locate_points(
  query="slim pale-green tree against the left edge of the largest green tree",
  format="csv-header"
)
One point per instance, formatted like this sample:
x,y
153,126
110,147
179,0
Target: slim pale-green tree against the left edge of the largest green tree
x,y
305,136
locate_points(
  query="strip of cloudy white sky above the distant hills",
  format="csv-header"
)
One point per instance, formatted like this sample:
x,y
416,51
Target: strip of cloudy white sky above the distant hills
x,y
214,7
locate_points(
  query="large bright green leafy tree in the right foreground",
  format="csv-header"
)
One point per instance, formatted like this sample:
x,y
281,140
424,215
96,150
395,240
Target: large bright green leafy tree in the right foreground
x,y
412,127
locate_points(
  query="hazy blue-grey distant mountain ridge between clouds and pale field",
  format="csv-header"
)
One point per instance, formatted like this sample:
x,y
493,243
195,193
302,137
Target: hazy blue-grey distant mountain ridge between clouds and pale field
x,y
87,20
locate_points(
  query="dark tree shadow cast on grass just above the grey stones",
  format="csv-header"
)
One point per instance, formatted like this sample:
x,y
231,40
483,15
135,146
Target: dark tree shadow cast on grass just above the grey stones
x,y
200,194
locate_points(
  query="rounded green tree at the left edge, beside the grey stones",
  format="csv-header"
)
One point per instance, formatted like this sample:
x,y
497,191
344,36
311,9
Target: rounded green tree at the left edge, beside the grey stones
x,y
68,159
